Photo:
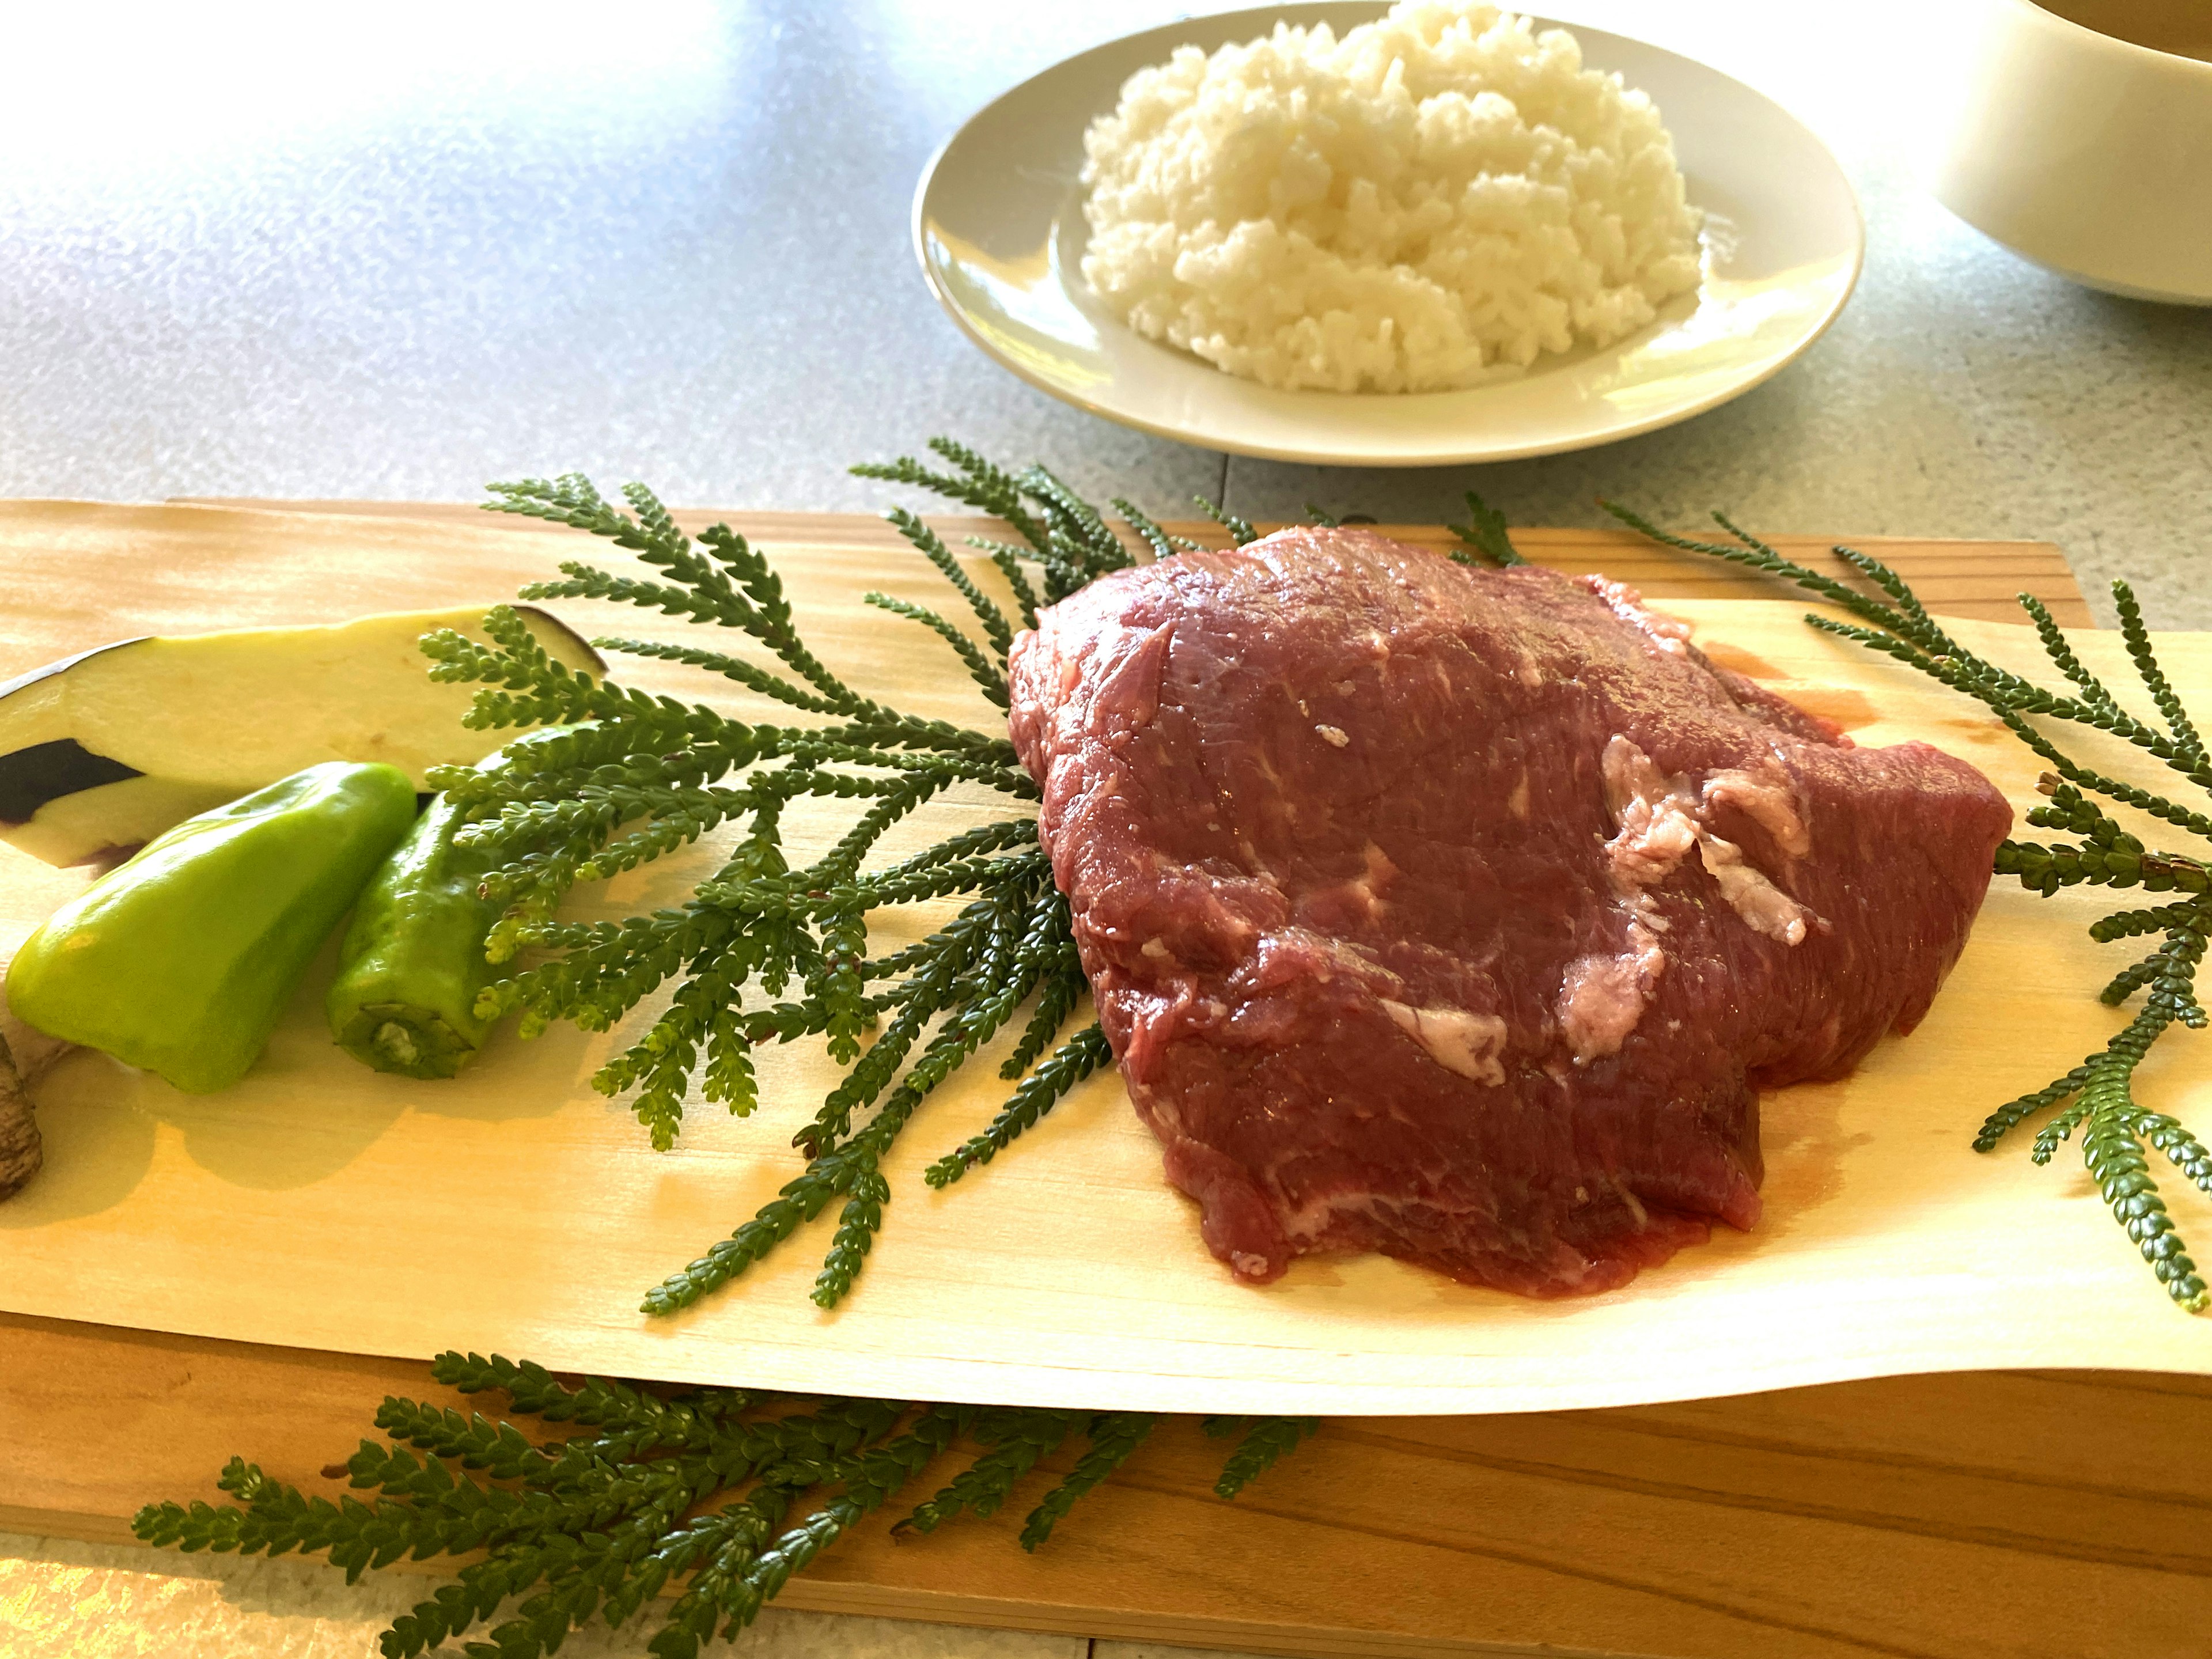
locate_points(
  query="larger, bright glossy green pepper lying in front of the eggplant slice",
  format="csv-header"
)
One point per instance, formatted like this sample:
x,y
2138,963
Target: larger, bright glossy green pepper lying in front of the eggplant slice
x,y
185,959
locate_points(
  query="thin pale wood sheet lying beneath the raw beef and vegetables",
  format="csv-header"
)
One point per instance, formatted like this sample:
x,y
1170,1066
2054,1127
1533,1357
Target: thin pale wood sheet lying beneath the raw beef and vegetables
x,y
324,1207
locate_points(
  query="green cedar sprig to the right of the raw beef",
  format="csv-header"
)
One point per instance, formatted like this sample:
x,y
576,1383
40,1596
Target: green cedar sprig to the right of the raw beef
x,y
2098,1096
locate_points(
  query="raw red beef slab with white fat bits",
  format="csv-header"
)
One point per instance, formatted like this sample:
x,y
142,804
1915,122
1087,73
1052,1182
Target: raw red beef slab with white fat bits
x,y
1461,915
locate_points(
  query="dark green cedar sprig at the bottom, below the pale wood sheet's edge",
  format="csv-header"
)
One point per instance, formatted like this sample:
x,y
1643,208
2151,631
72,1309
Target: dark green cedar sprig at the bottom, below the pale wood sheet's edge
x,y
680,1499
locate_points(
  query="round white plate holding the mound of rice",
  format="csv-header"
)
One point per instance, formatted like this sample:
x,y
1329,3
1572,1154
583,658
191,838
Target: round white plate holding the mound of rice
x,y
1001,231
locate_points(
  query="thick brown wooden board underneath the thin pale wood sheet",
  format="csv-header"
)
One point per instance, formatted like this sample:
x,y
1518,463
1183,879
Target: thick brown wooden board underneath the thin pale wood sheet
x,y
1952,1516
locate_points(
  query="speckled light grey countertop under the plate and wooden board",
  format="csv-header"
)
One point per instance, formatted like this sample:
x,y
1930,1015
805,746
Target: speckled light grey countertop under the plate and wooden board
x,y
397,253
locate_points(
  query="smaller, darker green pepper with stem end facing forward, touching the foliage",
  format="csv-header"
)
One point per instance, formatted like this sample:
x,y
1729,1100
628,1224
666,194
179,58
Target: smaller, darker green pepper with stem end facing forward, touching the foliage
x,y
415,957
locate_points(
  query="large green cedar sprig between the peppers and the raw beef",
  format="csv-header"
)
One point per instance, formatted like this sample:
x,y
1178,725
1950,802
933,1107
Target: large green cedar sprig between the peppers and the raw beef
x,y
612,780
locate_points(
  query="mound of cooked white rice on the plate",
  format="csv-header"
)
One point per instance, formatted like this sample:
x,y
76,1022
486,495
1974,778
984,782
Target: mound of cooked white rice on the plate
x,y
1419,207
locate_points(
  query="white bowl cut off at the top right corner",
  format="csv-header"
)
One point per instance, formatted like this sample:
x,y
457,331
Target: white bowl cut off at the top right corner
x,y
2085,140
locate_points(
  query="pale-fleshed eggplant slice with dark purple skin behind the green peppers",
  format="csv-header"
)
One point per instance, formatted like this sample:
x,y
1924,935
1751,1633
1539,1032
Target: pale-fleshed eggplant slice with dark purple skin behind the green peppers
x,y
109,749
